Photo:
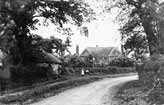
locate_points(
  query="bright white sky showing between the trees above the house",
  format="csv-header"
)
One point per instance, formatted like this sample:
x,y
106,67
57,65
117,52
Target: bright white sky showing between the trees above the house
x,y
103,32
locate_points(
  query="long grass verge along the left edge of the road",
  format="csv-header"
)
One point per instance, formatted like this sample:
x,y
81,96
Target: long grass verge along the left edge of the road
x,y
43,91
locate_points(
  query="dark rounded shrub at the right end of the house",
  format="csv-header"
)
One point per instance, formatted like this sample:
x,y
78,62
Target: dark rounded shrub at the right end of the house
x,y
122,62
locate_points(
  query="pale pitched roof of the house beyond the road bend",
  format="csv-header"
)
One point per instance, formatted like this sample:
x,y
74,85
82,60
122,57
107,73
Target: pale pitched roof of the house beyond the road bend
x,y
101,51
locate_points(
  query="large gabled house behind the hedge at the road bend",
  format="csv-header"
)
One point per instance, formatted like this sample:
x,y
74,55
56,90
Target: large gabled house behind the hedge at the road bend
x,y
101,55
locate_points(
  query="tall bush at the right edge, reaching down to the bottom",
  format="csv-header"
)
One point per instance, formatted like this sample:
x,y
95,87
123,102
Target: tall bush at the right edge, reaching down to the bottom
x,y
151,75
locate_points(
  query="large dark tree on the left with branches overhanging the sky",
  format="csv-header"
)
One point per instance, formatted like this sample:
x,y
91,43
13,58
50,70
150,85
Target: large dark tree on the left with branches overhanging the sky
x,y
18,17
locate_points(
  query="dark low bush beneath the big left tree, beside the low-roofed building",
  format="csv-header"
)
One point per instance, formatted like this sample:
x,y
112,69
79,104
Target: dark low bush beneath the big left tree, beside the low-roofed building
x,y
29,74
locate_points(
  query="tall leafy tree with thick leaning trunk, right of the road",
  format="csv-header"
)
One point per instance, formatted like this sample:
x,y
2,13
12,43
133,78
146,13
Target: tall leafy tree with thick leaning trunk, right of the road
x,y
139,25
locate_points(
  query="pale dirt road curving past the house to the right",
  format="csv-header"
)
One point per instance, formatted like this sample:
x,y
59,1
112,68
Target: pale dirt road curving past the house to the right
x,y
96,93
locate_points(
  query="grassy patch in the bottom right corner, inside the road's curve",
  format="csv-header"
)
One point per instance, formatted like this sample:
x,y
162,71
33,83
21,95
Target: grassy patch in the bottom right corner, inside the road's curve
x,y
135,93
